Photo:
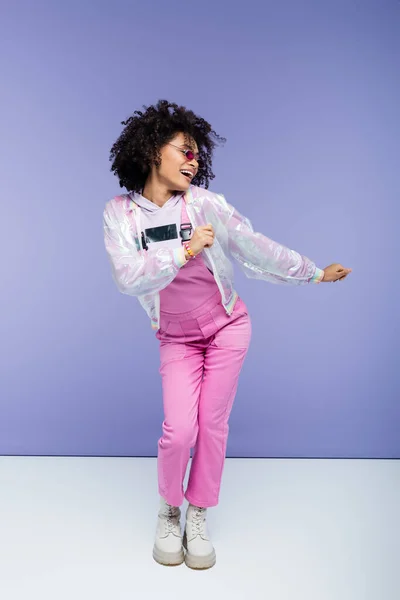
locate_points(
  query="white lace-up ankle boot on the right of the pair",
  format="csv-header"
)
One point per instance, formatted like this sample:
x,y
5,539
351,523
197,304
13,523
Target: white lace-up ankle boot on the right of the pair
x,y
200,553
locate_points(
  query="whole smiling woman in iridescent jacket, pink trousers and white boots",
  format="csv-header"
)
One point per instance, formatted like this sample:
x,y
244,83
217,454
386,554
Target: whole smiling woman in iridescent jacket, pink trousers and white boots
x,y
152,234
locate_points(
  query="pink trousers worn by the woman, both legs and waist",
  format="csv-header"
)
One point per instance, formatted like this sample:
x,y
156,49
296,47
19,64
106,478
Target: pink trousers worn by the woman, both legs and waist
x,y
201,354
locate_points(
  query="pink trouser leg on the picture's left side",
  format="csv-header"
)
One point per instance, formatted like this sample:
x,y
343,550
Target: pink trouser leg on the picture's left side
x,y
182,372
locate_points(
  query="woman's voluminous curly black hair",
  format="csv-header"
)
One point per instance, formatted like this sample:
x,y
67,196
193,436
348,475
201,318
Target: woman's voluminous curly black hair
x,y
138,146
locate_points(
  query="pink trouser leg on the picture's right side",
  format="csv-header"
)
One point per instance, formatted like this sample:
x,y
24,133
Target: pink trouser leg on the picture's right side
x,y
222,365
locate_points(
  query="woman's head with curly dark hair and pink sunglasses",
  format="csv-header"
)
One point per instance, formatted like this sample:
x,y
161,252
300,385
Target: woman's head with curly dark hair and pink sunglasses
x,y
160,143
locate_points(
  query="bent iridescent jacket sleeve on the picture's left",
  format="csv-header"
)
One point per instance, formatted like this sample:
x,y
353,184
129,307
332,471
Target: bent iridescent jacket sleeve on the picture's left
x,y
137,272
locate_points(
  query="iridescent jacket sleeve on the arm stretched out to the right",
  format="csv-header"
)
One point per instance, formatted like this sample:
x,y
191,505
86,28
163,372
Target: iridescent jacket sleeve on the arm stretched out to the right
x,y
262,258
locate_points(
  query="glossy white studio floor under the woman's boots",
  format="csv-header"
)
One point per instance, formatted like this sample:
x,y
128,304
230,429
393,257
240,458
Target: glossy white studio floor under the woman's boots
x,y
83,528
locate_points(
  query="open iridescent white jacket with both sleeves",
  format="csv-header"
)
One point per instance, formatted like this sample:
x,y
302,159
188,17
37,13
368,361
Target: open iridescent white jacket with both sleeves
x,y
143,273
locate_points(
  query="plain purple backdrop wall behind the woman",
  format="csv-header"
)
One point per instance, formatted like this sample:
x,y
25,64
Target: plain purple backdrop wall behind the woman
x,y
307,94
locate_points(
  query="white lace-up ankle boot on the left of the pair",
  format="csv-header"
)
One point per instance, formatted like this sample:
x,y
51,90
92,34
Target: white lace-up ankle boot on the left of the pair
x,y
168,548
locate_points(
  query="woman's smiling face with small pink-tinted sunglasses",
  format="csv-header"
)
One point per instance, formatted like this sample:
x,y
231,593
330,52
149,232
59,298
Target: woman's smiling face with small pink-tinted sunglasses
x,y
174,163
